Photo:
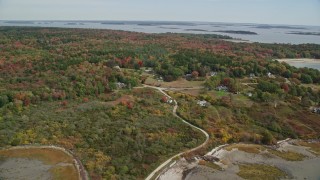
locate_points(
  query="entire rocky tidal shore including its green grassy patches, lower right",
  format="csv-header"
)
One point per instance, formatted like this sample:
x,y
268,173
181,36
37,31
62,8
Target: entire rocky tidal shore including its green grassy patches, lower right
x,y
289,158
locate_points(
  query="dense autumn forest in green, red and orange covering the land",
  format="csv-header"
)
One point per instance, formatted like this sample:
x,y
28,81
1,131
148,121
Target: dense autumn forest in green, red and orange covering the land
x,y
76,88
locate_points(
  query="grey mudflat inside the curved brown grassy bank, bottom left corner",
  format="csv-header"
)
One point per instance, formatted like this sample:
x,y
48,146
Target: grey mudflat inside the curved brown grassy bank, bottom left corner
x,y
21,168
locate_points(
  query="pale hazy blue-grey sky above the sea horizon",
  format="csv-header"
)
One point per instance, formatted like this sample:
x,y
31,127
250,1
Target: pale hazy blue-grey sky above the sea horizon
x,y
304,12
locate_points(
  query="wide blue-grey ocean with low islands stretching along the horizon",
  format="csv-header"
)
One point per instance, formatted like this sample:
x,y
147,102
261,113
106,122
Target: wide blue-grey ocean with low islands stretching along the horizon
x,y
264,33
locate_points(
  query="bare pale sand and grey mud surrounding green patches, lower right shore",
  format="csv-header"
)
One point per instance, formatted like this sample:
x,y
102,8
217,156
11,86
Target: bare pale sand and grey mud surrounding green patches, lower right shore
x,y
229,161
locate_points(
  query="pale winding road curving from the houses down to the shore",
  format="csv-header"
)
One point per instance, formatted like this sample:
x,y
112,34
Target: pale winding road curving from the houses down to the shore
x,y
174,112
